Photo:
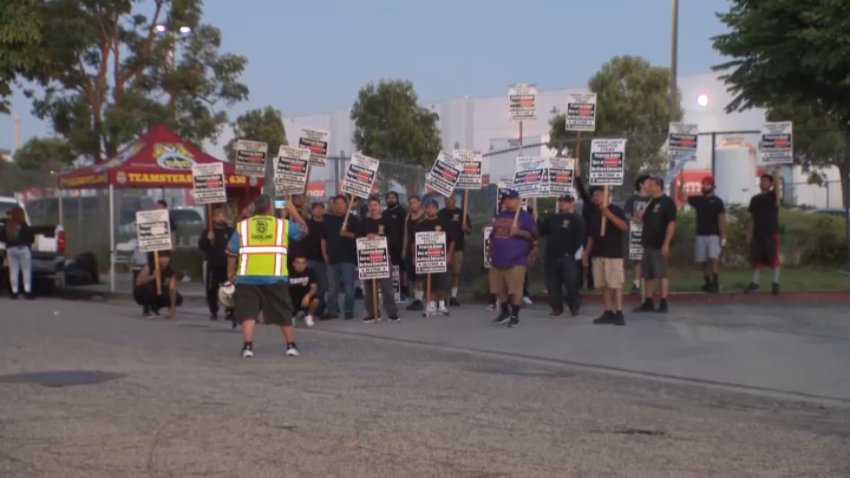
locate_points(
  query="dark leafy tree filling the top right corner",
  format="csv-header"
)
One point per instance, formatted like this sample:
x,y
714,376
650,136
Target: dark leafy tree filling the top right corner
x,y
791,57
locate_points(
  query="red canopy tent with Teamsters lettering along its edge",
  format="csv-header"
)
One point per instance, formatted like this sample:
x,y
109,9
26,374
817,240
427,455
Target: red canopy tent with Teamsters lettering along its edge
x,y
157,159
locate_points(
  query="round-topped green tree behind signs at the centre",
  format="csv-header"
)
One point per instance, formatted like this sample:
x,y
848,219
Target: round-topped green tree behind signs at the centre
x,y
390,124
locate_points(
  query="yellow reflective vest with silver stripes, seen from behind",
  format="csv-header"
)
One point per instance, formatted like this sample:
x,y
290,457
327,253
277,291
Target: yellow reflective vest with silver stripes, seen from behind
x,y
264,242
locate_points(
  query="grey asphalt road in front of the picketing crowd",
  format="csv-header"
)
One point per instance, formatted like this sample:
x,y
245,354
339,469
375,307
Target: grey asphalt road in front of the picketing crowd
x,y
451,397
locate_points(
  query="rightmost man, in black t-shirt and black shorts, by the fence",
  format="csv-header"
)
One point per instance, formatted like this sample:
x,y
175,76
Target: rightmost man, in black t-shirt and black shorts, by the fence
x,y
763,235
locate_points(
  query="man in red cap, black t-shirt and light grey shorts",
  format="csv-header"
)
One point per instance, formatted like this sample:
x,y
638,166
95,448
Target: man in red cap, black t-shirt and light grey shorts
x,y
711,232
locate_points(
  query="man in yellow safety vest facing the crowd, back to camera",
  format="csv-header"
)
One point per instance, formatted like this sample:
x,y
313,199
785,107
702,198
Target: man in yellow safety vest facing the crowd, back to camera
x,y
257,265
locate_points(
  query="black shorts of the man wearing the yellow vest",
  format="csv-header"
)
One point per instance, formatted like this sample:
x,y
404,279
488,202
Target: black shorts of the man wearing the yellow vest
x,y
273,300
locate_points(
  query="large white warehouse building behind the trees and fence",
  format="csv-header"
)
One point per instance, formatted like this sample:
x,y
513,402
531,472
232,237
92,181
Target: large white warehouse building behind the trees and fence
x,y
483,124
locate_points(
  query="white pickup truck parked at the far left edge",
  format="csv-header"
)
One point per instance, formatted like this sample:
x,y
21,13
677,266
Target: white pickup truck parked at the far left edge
x,y
48,252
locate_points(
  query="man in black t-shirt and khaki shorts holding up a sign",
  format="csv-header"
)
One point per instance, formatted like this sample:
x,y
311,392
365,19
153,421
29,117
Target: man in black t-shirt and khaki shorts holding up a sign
x,y
607,253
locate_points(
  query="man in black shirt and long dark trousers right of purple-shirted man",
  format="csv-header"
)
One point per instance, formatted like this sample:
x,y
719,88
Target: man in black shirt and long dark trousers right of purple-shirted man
x,y
564,234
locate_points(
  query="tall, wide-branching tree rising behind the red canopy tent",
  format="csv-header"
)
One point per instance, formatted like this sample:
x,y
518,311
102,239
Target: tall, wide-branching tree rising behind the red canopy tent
x,y
115,70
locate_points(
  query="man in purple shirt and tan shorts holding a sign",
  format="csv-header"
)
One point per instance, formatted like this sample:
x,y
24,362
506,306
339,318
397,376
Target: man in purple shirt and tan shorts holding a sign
x,y
511,242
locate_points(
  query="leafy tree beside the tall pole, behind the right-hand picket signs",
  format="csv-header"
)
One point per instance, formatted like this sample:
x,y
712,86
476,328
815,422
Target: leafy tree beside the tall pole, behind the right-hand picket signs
x,y
633,101
